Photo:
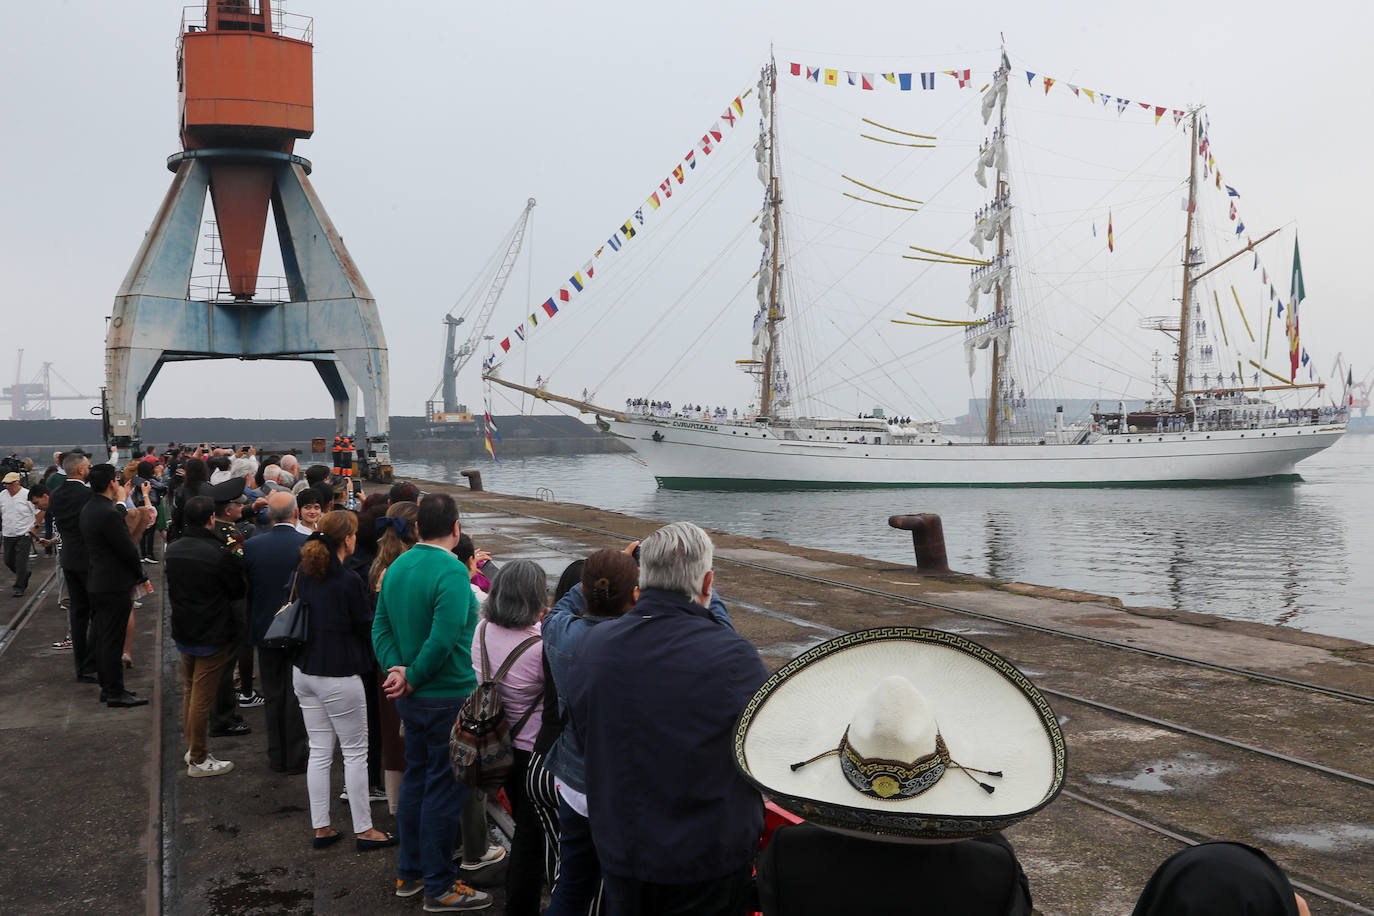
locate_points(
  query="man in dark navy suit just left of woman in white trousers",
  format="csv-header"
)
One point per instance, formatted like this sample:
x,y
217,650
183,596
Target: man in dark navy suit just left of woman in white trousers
x,y
270,561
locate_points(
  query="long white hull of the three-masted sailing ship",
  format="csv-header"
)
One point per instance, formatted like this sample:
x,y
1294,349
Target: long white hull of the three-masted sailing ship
x,y
700,454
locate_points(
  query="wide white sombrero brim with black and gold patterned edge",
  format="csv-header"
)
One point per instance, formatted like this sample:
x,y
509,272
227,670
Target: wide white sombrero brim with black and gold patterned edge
x,y
989,713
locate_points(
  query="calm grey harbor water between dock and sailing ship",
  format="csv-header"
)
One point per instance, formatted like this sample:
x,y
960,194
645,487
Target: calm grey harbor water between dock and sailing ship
x,y
1292,554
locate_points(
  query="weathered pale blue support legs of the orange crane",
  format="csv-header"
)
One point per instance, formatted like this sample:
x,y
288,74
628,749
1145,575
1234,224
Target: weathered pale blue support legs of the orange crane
x,y
330,318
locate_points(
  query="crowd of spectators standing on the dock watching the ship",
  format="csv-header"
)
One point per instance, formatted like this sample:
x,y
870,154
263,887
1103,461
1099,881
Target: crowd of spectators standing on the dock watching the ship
x,y
622,693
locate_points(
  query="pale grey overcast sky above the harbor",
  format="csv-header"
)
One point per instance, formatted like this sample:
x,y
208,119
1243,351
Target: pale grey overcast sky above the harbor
x,y
436,122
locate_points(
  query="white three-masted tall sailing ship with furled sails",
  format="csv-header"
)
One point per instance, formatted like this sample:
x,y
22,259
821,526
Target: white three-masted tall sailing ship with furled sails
x,y
1200,429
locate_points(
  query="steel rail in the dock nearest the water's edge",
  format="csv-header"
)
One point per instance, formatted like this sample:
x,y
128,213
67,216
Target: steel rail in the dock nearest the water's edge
x,y
991,619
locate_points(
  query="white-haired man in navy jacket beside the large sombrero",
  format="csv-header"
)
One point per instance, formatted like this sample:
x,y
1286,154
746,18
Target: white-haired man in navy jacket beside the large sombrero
x,y
653,698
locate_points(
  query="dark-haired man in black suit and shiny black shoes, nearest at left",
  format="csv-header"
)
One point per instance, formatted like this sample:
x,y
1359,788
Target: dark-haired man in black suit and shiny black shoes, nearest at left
x,y
116,569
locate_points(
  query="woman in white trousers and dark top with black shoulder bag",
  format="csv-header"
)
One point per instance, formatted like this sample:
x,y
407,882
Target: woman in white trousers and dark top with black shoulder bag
x,y
328,678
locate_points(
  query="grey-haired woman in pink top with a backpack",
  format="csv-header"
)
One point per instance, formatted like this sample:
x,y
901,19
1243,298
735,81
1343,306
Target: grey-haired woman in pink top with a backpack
x,y
516,609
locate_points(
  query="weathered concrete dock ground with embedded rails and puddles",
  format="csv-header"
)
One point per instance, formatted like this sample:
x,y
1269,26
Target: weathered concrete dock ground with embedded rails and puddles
x,y
1181,727
